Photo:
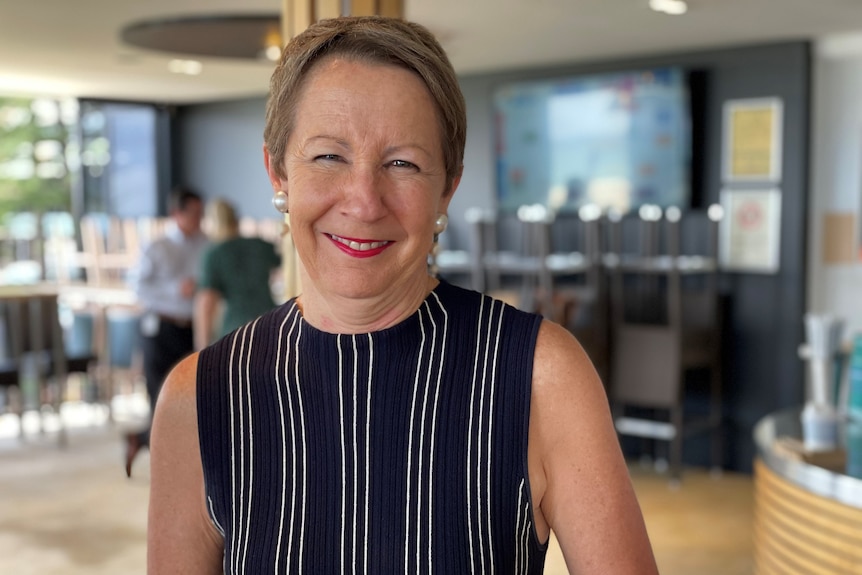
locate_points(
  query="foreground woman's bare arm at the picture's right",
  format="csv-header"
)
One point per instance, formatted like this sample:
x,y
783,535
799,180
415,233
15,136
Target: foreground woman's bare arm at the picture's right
x,y
579,481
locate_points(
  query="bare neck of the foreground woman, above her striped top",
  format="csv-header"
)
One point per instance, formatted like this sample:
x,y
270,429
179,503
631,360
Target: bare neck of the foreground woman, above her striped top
x,y
339,314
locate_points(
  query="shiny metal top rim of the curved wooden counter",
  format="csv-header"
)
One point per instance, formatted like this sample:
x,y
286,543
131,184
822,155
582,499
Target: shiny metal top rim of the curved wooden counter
x,y
817,479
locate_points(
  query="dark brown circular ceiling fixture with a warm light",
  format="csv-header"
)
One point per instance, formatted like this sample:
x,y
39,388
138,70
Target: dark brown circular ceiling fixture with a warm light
x,y
222,36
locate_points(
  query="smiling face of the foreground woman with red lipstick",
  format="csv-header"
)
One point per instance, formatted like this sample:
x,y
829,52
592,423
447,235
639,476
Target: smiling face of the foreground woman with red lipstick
x,y
365,178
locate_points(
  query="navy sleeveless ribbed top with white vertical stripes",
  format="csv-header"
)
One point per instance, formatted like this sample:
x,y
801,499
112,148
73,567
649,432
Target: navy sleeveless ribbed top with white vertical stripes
x,y
397,451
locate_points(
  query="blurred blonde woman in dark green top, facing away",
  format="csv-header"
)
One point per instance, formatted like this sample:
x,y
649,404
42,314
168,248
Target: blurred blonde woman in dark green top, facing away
x,y
235,279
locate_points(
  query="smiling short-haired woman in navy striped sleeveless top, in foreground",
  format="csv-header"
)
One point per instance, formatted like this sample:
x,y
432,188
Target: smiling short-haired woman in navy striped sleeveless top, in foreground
x,y
383,421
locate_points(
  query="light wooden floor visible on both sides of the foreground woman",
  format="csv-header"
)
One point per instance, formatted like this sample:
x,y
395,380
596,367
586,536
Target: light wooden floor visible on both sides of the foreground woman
x,y
73,512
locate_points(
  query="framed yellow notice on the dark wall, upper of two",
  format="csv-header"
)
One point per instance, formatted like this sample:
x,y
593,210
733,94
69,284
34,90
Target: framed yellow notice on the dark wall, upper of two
x,y
752,140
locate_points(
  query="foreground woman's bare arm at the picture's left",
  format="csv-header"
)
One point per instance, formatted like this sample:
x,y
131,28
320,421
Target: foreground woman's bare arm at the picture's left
x,y
180,534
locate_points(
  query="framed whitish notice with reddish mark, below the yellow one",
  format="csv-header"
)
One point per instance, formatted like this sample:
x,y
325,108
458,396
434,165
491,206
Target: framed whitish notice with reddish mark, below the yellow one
x,y
750,230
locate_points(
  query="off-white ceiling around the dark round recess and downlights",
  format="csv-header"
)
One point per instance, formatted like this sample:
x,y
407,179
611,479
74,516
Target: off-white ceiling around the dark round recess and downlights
x,y
72,47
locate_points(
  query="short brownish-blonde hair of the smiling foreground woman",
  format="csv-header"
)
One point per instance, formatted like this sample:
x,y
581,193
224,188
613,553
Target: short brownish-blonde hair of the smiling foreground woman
x,y
388,41
